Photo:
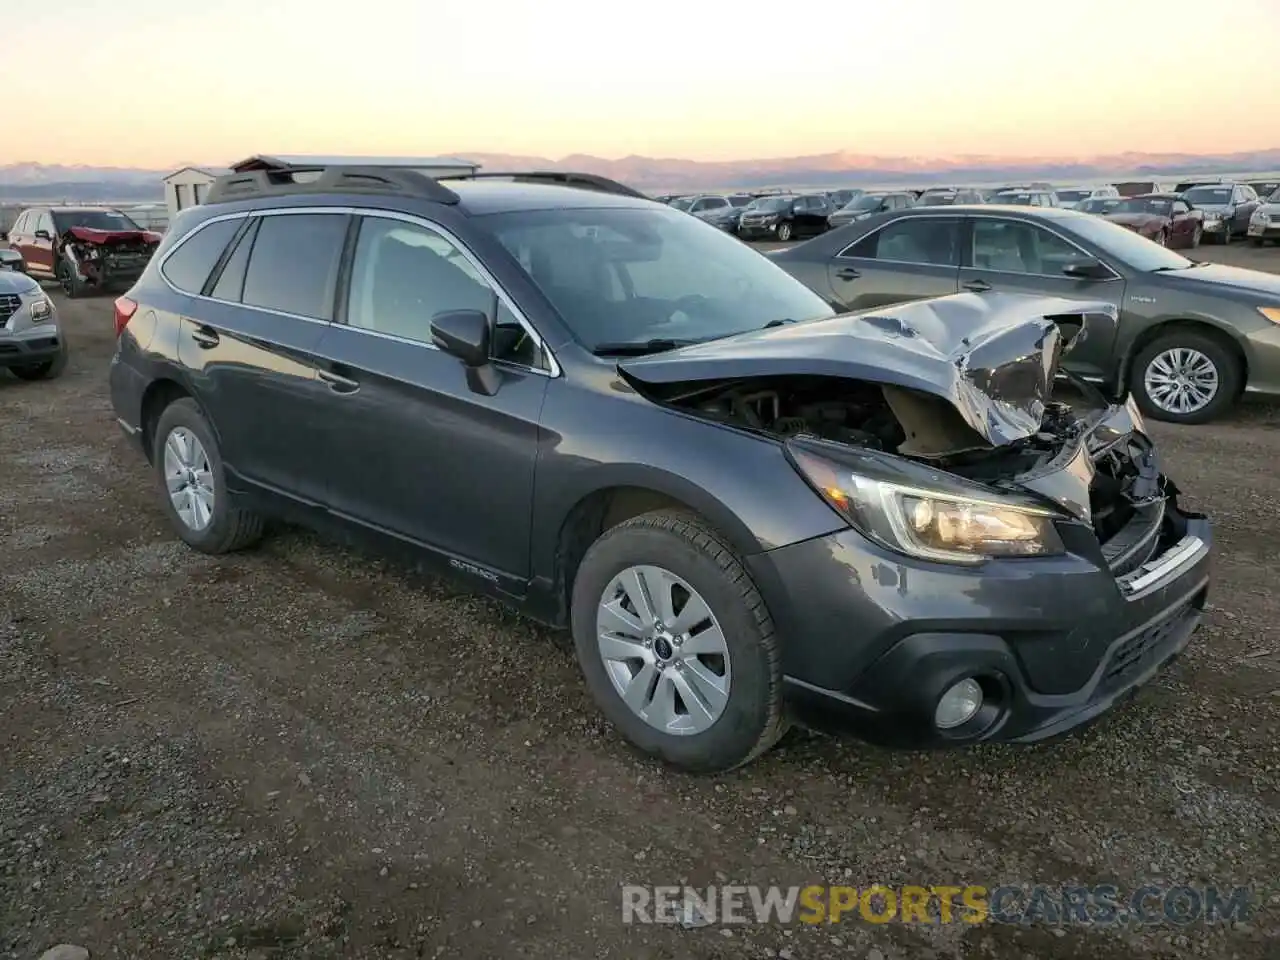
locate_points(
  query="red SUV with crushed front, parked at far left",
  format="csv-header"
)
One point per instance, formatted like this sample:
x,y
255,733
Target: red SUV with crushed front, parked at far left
x,y
83,248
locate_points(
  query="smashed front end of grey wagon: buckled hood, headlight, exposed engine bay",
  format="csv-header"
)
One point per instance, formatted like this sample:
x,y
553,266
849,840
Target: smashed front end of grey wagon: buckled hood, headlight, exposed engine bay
x,y
941,428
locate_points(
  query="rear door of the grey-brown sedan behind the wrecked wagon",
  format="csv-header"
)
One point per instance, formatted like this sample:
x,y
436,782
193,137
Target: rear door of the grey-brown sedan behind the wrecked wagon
x,y
907,259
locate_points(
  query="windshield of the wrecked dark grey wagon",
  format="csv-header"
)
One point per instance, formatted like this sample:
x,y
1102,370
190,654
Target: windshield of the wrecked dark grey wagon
x,y
629,275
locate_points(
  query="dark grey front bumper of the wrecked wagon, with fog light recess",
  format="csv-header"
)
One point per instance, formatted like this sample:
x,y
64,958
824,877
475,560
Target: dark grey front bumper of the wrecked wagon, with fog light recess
x,y
874,642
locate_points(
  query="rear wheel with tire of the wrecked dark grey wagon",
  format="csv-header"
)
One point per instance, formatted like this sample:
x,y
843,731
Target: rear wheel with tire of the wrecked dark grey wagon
x,y
194,487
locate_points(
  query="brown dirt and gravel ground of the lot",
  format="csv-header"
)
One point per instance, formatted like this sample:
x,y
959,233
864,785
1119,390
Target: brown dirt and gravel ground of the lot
x,y
305,752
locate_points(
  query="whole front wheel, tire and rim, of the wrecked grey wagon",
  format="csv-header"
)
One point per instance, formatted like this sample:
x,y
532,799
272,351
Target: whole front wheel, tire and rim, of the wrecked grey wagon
x,y
665,589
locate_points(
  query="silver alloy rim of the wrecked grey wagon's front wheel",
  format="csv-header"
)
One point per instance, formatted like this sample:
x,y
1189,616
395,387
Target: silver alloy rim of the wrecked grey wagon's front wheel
x,y
664,651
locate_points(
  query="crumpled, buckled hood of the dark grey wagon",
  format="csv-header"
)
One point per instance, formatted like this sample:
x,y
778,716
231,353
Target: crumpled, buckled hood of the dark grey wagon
x,y
994,356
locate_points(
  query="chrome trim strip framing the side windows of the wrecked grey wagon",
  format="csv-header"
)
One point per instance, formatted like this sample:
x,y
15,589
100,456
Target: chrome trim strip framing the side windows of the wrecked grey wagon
x,y
554,365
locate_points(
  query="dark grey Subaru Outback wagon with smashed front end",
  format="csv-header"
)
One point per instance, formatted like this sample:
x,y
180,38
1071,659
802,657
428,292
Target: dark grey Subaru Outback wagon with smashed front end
x,y
746,506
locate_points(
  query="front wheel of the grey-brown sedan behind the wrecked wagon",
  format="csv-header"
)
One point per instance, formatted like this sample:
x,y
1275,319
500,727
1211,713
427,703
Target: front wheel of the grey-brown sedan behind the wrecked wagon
x,y
1186,377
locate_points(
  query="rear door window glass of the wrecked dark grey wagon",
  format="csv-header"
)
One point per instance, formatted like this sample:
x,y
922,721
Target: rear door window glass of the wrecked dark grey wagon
x,y
294,267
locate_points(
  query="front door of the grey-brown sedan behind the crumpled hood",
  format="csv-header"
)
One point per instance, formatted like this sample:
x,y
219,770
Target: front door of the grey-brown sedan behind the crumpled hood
x,y
1018,257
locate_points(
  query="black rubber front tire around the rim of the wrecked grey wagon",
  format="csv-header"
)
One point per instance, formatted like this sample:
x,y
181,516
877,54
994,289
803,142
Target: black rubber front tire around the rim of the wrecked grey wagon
x,y
688,550
